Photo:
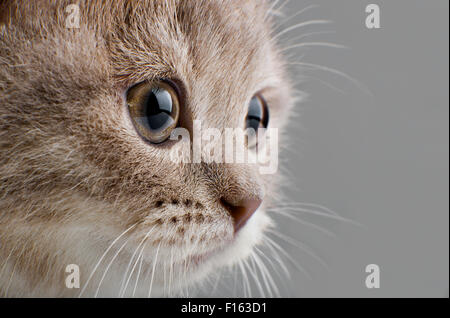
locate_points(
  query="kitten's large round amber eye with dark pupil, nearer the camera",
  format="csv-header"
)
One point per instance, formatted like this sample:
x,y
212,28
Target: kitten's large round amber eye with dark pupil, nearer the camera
x,y
154,109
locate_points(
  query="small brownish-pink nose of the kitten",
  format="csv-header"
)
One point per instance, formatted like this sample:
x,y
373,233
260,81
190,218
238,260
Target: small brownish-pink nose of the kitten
x,y
240,210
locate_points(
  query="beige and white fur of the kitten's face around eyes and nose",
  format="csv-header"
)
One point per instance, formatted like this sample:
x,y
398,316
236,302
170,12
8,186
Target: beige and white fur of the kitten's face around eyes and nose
x,y
77,179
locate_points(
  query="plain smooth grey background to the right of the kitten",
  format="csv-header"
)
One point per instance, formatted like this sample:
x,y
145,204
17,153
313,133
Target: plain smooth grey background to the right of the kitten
x,y
381,159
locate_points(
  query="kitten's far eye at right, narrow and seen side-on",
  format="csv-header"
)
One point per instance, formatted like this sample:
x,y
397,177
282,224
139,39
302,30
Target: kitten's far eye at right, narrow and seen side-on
x,y
257,117
